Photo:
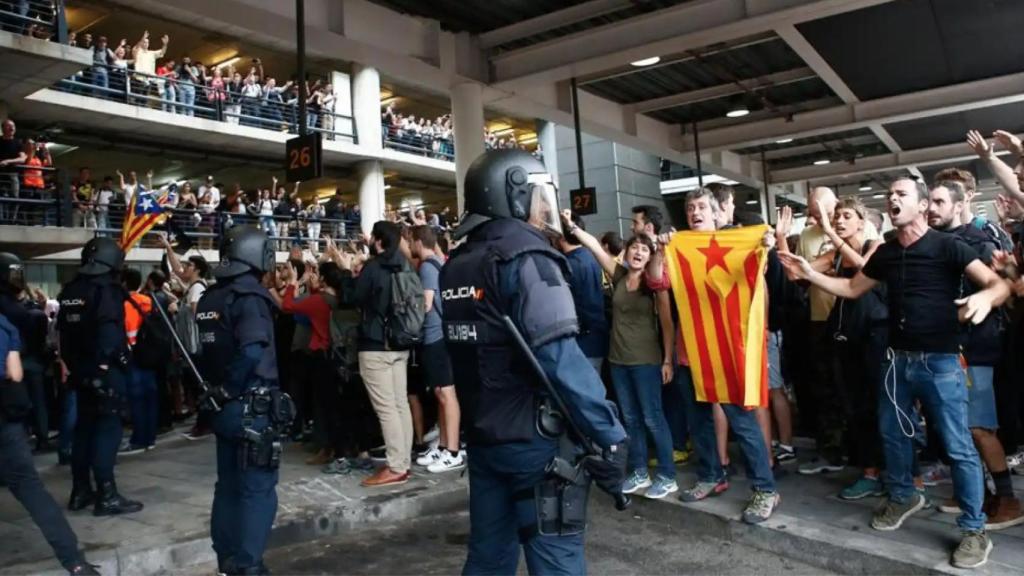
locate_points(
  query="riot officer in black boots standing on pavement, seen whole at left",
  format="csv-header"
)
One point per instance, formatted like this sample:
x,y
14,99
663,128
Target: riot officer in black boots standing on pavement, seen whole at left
x,y
95,351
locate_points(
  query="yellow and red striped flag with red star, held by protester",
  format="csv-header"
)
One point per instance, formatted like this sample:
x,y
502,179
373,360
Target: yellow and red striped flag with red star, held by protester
x,y
719,286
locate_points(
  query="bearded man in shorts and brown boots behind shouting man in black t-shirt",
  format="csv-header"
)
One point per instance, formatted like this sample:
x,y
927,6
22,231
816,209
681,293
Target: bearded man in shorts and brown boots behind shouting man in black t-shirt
x,y
983,348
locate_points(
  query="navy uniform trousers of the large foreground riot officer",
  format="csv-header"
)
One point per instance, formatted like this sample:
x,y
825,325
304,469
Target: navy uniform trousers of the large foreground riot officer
x,y
497,474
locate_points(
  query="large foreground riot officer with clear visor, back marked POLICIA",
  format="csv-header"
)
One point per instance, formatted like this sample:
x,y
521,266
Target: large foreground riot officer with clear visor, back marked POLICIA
x,y
507,268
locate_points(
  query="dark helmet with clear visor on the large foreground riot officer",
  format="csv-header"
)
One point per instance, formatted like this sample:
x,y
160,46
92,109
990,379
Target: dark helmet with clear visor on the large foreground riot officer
x,y
509,184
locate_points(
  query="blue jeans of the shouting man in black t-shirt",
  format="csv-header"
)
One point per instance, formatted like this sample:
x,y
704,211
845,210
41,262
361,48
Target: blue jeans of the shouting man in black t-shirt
x,y
938,382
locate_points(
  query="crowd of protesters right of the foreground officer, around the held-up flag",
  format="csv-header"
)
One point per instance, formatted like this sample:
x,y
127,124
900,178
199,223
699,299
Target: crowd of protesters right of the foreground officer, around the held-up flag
x,y
891,351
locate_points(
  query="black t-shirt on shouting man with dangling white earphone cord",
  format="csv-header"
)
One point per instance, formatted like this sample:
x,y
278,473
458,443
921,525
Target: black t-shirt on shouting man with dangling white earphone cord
x,y
923,279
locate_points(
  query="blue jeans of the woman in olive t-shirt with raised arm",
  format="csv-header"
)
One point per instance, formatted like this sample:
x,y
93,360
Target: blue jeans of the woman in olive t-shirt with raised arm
x,y
639,392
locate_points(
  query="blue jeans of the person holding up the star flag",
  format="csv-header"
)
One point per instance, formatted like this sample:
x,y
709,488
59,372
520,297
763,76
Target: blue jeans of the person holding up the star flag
x,y
745,427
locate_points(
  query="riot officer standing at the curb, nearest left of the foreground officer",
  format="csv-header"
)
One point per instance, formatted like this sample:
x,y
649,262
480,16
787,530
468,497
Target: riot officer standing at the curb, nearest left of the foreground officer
x,y
236,332
